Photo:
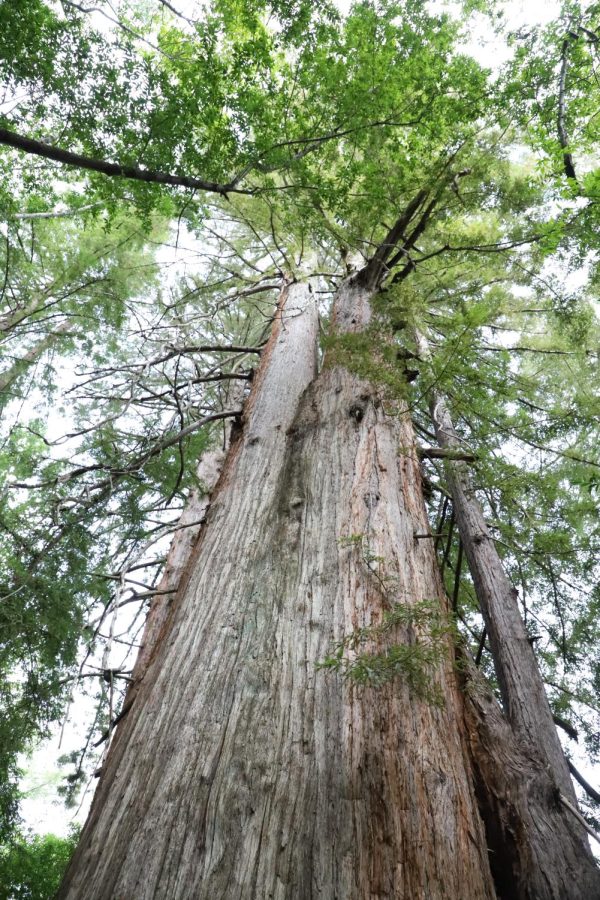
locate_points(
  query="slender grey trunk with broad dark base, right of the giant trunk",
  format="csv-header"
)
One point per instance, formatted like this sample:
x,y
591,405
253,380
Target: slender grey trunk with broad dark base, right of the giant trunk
x,y
539,848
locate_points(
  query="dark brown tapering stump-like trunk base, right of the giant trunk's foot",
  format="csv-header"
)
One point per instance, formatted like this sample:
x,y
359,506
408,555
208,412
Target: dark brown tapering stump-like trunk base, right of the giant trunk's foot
x,y
538,851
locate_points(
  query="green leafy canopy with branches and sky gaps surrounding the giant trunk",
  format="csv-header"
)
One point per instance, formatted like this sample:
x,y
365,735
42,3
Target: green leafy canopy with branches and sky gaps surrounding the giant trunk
x,y
133,309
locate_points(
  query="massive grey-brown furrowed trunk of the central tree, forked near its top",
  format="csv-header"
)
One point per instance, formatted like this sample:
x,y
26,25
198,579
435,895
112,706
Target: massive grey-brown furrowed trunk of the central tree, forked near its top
x,y
241,770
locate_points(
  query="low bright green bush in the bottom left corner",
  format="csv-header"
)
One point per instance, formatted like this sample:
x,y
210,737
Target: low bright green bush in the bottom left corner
x,y
32,866
